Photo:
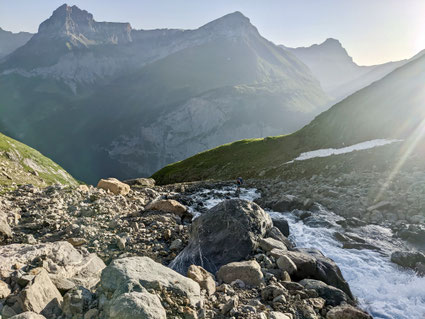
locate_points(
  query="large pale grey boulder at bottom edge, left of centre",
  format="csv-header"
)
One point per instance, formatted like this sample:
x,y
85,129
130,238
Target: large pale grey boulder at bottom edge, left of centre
x,y
132,285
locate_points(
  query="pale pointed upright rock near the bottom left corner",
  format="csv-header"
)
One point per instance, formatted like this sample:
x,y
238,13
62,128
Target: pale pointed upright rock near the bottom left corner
x,y
41,296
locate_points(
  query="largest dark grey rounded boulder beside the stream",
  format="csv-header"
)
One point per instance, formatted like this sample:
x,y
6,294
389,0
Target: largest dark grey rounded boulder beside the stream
x,y
226,233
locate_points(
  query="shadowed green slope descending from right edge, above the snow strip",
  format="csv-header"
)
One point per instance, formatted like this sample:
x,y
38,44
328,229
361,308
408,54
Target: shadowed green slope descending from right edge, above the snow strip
x,y
390,108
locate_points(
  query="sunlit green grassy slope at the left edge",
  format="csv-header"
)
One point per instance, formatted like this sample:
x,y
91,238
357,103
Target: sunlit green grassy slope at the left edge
x,y
20,164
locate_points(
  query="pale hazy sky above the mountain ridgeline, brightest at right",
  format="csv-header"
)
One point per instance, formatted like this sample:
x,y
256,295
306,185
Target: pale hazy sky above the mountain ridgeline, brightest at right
x,y
372,31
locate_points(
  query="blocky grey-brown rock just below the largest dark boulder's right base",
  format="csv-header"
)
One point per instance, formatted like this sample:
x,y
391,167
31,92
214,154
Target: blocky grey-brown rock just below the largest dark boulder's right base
x,y
247,271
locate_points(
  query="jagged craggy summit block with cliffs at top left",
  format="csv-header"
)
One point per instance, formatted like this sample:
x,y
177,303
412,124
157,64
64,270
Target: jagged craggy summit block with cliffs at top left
x,y
80,28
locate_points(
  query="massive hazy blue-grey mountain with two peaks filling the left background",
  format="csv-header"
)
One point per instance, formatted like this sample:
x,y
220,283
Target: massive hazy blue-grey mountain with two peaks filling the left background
x,y
163,95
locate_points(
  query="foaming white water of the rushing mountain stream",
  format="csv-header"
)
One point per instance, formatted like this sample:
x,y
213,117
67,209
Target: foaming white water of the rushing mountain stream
x,y
382,288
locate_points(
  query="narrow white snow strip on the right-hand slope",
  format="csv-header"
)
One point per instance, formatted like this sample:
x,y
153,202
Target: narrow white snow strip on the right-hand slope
x,y
336,151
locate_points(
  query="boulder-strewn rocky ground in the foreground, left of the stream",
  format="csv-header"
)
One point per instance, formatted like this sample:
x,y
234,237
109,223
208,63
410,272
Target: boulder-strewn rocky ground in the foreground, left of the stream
x,y
49,262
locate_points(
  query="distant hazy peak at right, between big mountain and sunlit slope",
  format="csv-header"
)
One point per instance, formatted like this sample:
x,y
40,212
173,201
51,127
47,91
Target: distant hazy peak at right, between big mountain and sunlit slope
x,y
338,74
